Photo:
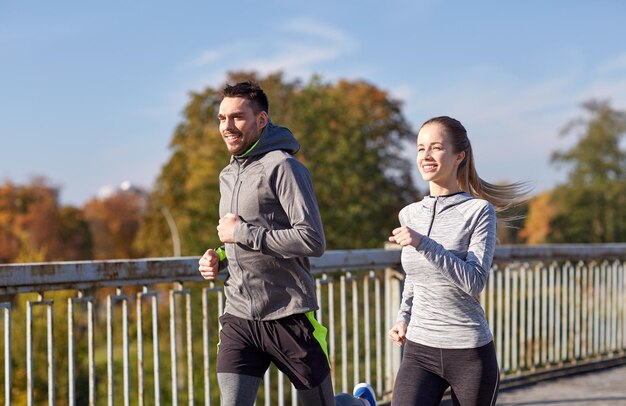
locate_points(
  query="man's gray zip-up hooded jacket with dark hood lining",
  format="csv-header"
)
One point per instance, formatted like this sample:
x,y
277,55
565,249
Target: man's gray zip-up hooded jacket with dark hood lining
x,y
271,191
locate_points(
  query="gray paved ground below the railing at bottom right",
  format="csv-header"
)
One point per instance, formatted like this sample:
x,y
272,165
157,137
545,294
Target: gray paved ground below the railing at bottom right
x,y
600,388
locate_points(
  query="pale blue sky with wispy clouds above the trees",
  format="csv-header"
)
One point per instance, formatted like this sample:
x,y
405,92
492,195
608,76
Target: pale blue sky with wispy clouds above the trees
x,y
91,92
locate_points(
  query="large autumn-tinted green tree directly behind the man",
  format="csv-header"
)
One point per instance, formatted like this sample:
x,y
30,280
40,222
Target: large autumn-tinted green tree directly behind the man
x,y
352,134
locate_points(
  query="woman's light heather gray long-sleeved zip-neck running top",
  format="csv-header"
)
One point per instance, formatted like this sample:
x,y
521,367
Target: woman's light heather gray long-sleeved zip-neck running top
x,y
447,271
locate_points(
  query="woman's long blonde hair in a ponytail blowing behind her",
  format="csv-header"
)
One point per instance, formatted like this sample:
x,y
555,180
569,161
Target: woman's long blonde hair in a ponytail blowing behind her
x,y
502,196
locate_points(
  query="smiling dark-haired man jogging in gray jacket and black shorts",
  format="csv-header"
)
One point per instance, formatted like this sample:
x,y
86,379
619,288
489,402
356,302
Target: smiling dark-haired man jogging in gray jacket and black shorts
x,y
269,224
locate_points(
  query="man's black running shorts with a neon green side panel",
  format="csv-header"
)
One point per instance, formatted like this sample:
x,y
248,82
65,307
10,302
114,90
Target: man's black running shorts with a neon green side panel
x,y
295,344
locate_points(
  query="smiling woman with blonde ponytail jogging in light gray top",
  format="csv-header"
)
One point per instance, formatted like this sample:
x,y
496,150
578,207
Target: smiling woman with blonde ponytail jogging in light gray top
x,y
448,242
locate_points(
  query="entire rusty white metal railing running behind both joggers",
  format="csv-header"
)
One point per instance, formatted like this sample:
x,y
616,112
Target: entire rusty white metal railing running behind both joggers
x,y
145,332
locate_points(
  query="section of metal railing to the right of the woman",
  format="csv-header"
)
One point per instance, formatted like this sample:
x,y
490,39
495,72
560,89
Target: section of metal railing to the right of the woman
x,y
557,308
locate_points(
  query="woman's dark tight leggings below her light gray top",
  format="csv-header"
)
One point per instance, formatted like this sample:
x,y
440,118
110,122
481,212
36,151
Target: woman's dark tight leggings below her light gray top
x,y
426,372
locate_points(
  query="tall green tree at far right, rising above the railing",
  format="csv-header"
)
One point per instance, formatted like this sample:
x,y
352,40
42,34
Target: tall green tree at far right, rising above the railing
x,y
591,206
